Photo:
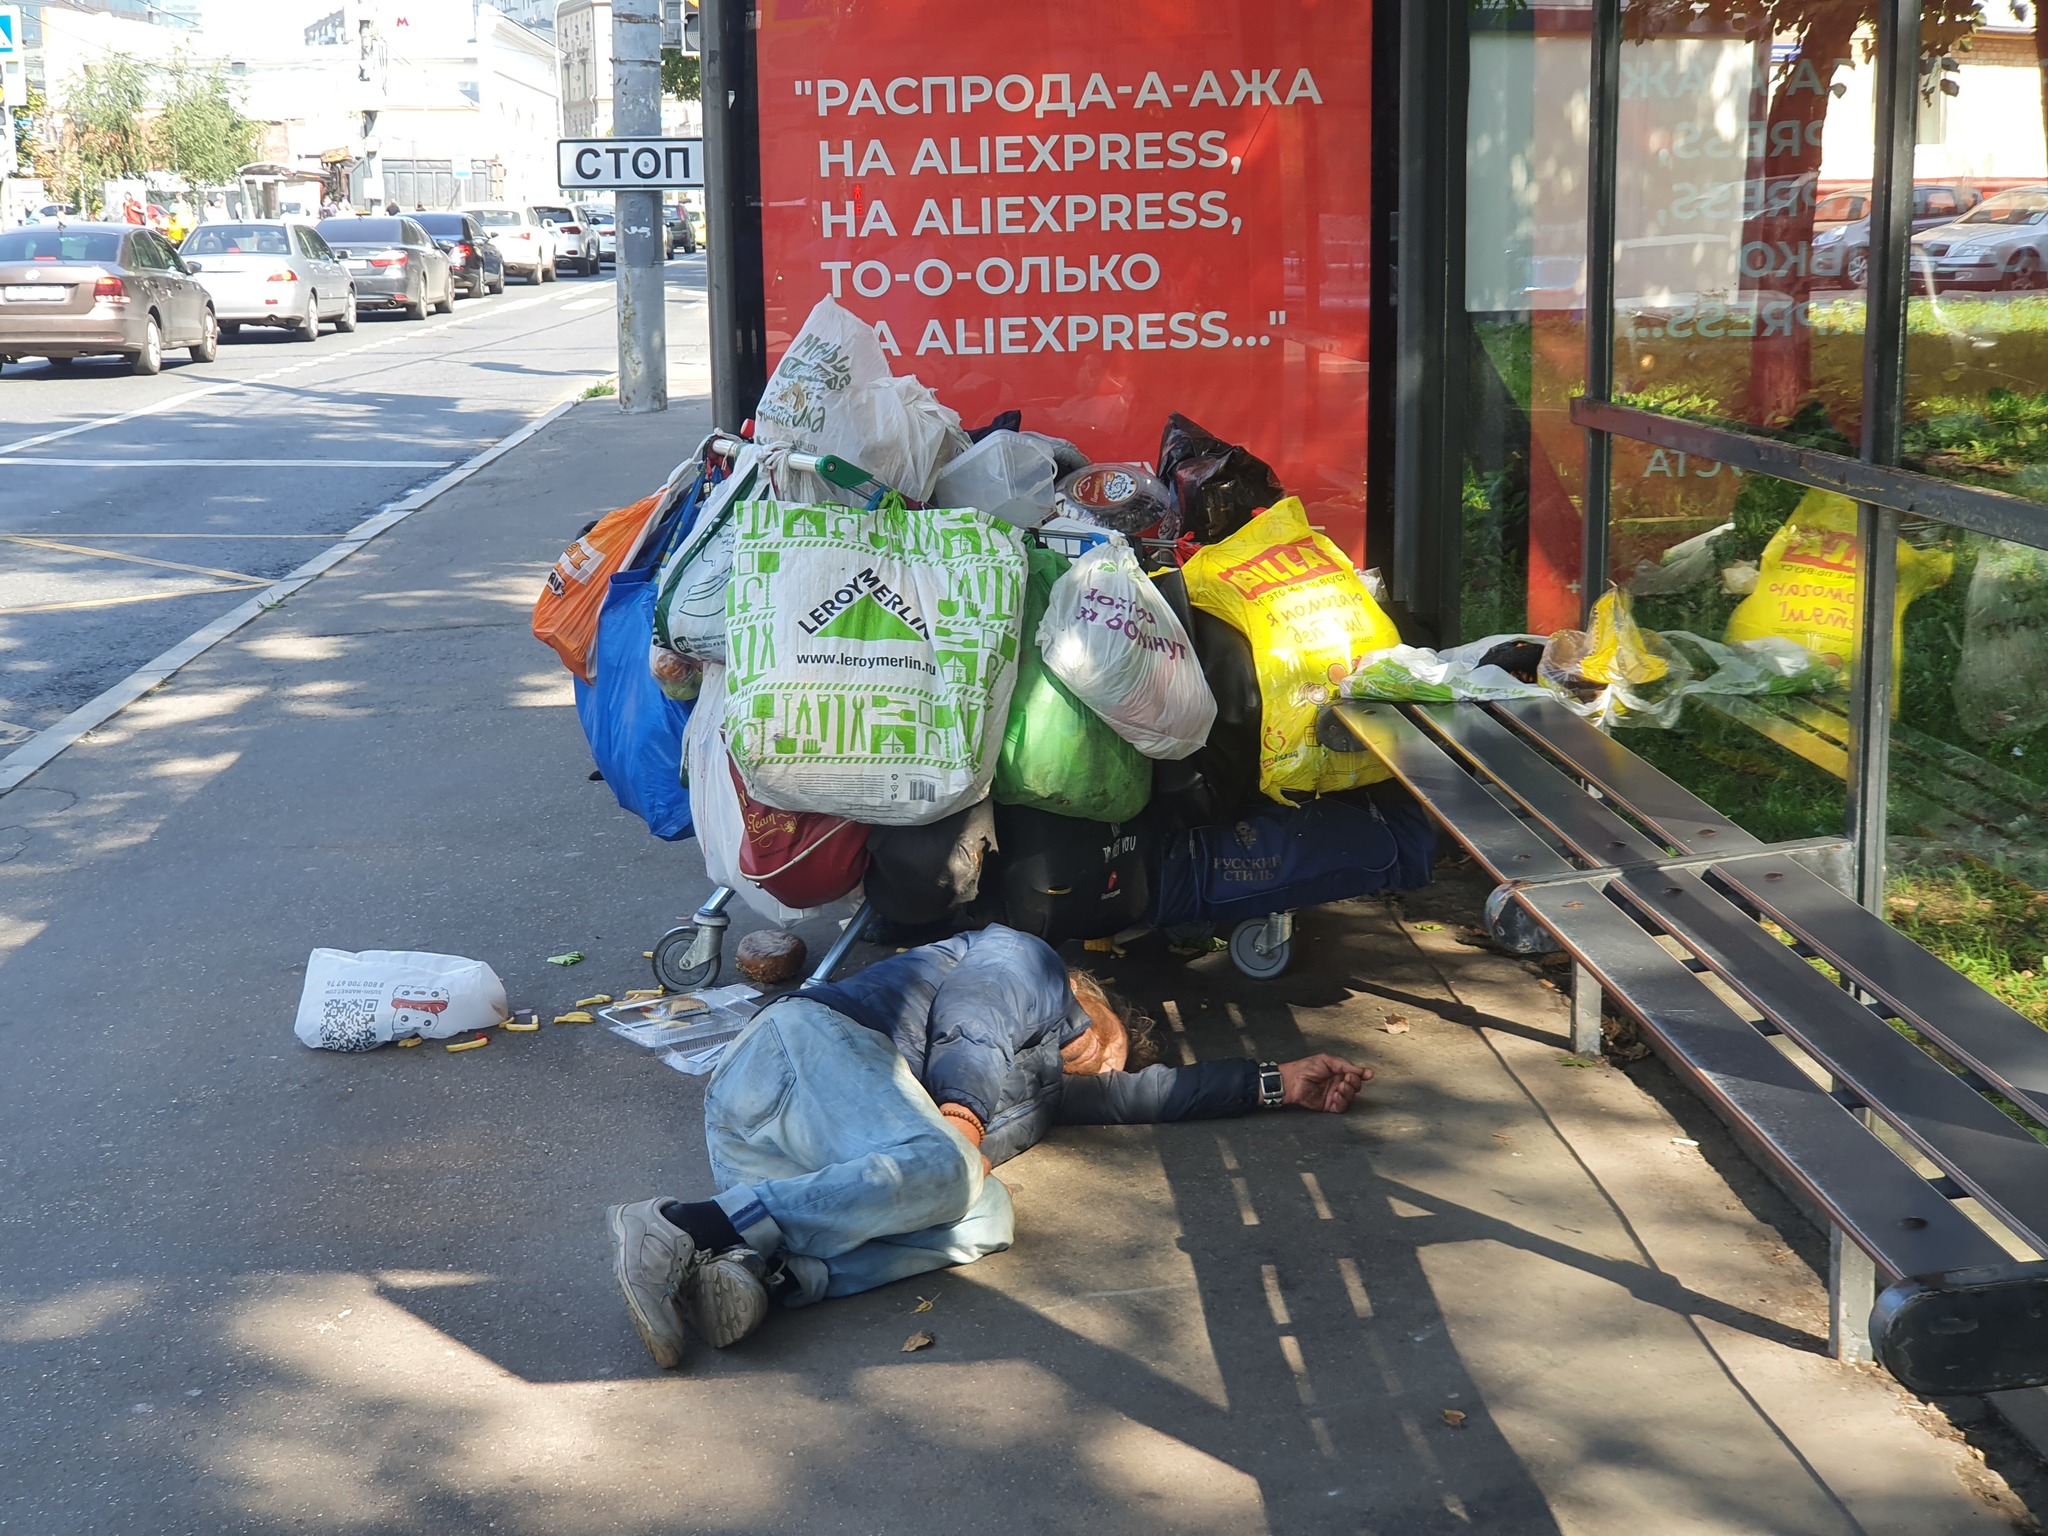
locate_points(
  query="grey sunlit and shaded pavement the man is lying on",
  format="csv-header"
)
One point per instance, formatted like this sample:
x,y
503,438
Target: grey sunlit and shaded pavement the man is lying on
x,y
249,1287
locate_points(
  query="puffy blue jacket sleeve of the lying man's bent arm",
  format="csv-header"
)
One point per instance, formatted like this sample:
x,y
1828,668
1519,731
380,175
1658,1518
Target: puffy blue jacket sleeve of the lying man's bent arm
x,y
1005,996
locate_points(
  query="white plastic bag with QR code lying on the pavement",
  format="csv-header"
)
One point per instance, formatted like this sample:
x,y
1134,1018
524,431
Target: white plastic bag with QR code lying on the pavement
x,y
364,1000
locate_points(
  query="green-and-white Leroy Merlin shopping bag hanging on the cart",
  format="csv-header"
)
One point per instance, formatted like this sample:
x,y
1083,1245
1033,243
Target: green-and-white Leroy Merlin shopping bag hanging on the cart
x,y
871,656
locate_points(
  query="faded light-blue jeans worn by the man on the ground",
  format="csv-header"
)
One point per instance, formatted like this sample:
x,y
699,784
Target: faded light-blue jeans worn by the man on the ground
x,y
830,1154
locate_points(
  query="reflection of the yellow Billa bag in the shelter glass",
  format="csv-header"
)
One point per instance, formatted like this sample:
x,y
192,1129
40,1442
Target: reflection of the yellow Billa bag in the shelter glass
x,y
1809,585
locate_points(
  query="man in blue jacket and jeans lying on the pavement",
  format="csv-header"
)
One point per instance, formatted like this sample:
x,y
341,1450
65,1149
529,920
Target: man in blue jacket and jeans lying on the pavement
x,y
853,1129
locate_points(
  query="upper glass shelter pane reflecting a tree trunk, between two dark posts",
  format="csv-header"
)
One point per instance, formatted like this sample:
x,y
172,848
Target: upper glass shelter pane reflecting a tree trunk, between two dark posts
x,y
1744,216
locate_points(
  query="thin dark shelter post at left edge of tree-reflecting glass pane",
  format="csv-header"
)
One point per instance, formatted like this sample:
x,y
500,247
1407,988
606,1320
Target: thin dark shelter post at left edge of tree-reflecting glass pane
x,y
1603,181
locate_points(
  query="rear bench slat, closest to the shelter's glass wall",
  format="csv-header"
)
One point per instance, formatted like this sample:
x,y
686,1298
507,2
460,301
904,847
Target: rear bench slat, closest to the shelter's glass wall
x,y
1992,1039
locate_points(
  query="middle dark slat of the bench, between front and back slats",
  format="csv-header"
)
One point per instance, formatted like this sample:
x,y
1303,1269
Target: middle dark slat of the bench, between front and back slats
x,y
1938,1113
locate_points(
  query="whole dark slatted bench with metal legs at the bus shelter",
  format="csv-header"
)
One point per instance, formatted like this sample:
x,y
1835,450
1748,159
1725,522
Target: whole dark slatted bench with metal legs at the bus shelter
x,y
1893,1138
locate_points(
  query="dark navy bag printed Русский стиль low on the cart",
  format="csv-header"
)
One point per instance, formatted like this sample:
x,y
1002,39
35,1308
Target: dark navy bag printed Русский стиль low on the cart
x,y
1281,859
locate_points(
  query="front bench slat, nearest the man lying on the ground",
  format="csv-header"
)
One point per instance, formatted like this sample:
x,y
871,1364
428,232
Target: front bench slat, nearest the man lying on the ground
x,y
1885,1207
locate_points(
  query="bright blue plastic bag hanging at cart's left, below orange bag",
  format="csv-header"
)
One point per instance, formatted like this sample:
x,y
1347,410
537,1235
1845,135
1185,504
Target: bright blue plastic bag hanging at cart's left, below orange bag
x,y
634,728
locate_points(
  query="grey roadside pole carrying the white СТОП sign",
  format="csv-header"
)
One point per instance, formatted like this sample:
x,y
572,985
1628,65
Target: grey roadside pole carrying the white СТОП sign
x,y
642,306
